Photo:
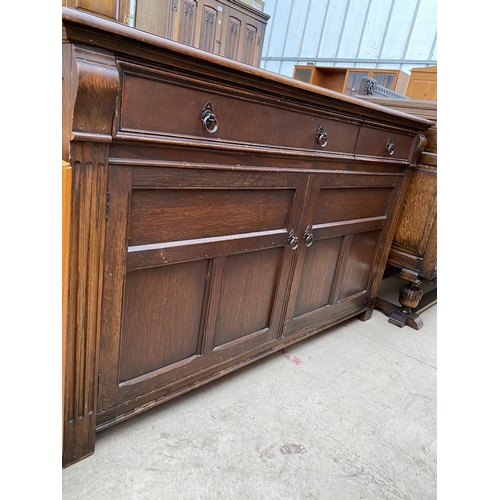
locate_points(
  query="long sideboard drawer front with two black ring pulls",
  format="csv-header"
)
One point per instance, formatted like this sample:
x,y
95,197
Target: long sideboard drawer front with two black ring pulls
x,y
165,106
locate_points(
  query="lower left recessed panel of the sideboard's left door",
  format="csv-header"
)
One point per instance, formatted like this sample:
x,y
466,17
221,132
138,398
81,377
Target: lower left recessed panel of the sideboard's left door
x,y
161,317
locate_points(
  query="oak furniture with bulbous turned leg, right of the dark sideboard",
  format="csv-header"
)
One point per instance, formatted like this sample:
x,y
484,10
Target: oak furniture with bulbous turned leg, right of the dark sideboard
x,y
414,247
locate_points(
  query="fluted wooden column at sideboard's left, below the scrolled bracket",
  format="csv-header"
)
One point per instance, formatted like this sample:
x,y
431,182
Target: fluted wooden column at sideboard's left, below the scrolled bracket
x,y
88,212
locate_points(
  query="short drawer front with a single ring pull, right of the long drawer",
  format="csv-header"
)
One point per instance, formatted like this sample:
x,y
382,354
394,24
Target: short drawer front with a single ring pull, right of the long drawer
x,y
385,143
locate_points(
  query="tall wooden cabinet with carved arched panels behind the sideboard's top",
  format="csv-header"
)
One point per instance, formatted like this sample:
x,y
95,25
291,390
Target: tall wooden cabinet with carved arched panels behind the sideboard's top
x,y
229,28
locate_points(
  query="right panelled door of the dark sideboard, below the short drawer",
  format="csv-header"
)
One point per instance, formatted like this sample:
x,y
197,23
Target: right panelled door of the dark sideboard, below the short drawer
x,y
341,240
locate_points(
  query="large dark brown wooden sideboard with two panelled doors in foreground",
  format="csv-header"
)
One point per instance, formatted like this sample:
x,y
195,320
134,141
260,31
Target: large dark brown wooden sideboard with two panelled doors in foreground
x,y
219,213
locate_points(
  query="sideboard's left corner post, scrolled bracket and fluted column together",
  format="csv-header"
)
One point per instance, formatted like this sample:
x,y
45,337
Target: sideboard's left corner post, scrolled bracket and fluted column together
x,y
90,85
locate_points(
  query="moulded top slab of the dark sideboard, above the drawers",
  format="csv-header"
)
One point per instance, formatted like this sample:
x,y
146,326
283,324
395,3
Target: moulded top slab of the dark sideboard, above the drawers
x,y
90,30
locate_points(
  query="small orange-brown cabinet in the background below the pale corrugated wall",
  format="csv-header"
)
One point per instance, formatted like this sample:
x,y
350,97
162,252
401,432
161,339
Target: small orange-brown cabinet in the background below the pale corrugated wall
x,y
347,80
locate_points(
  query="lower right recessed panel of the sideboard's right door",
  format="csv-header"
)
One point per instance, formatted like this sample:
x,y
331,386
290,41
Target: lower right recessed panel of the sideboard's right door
x,y
359,263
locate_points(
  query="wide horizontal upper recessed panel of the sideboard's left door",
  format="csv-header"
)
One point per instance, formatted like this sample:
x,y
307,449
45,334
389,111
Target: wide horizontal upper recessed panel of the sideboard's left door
x,y
159,215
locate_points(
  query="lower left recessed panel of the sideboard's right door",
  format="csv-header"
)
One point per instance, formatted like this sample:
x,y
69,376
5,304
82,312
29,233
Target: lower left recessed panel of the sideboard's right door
x,y
317,275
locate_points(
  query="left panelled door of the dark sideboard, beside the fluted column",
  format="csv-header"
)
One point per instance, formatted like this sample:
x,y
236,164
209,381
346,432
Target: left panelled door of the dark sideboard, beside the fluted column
x,y
196,268
